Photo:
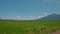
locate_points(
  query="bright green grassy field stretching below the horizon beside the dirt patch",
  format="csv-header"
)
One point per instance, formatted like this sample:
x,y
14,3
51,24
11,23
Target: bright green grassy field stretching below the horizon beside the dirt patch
x,y
28,27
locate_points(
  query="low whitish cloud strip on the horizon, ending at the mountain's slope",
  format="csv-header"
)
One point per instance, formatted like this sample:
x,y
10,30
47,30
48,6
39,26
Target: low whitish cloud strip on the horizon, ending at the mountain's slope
x,y
22,18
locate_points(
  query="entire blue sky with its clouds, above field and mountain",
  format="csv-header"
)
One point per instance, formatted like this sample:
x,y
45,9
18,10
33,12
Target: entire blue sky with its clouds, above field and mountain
x,y
28,9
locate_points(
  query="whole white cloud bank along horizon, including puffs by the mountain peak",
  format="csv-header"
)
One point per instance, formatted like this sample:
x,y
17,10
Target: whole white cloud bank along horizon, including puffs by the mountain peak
x,y
25,17
